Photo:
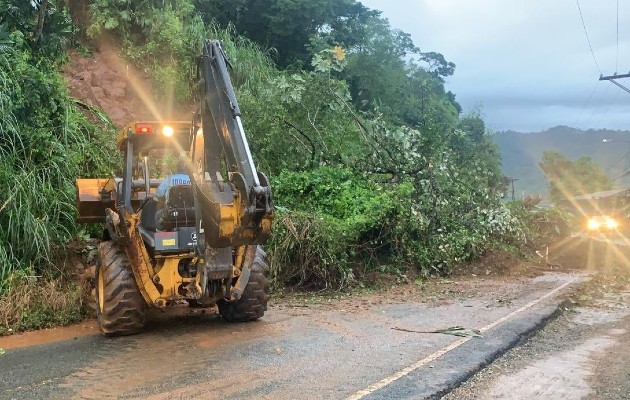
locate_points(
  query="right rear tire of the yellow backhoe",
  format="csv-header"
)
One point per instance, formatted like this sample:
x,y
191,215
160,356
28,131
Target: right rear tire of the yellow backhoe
x,y
253,303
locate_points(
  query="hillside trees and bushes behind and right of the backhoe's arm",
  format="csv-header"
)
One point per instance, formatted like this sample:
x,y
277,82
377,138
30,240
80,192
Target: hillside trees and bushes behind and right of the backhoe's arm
x,y
371,162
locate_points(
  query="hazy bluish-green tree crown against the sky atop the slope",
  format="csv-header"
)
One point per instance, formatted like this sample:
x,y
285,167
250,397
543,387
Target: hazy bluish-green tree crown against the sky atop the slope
x,y
388,72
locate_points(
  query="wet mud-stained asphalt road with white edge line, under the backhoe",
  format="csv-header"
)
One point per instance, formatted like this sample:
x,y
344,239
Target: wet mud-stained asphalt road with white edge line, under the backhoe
x,y
303,348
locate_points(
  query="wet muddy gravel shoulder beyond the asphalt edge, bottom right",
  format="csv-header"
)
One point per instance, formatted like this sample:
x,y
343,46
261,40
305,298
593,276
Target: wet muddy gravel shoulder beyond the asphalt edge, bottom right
x,y
583,354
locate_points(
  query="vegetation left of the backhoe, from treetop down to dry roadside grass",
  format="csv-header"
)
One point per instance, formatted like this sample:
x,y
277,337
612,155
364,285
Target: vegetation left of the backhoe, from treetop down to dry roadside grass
x,y
45,143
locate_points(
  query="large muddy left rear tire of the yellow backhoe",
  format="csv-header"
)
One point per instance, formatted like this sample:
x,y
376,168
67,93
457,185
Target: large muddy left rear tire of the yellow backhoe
x,y
120,307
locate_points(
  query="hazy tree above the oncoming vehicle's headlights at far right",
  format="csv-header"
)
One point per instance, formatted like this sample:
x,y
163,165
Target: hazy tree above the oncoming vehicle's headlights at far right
x,y
568,178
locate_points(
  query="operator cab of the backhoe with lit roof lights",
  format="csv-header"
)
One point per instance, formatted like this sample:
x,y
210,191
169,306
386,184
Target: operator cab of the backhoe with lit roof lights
x,y
167,223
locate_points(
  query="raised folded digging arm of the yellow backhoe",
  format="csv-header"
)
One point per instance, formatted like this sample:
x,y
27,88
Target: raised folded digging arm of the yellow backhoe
x,y
233,199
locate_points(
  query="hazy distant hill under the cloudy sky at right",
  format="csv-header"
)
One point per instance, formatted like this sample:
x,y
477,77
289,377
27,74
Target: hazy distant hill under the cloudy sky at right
x,y
521,153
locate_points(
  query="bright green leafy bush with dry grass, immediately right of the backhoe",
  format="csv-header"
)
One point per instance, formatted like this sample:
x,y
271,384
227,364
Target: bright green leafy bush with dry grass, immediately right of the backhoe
x,y
333,225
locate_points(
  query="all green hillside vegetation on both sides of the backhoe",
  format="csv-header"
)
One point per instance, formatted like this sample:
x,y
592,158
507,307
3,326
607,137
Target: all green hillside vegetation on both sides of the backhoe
x,y
373,165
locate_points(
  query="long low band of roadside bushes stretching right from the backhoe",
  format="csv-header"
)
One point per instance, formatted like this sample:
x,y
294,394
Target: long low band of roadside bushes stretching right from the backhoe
x,y
334,225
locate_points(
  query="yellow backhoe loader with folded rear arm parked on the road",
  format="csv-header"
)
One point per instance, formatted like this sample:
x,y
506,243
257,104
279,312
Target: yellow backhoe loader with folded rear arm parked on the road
x,y
200,243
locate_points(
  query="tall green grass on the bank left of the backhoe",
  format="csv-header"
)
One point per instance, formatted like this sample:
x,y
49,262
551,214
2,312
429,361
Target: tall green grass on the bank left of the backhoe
x,y
45,143
